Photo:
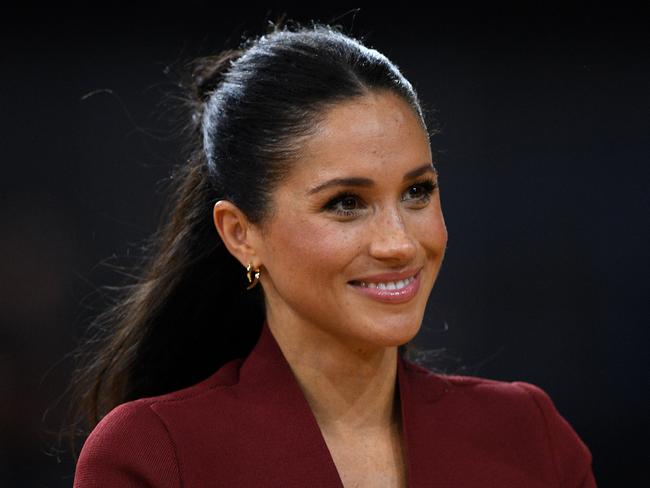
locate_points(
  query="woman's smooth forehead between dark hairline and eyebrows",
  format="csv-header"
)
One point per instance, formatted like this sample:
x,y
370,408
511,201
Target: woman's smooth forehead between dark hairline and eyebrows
x,y
375,134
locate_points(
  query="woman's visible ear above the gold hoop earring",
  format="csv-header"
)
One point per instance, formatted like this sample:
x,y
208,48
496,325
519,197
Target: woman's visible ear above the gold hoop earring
x,y
237,233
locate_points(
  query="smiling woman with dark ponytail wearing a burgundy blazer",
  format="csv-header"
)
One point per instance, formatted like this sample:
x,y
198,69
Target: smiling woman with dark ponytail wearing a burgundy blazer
x,y
313,177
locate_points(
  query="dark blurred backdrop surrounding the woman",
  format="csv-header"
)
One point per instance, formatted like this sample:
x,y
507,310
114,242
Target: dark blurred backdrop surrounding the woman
x,y
543,157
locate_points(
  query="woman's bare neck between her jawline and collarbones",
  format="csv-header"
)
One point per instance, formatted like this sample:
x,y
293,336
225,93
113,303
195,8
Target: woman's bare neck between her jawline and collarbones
x,y
348,390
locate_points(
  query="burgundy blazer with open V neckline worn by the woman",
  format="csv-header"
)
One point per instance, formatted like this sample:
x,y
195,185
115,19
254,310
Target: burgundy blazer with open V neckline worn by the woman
x,y
249,425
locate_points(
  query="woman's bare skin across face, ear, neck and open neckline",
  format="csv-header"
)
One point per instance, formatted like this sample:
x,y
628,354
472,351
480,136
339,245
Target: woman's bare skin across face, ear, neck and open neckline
x,y
340,344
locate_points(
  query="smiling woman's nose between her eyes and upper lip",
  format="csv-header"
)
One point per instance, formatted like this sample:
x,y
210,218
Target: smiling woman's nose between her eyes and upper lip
x,y
391,240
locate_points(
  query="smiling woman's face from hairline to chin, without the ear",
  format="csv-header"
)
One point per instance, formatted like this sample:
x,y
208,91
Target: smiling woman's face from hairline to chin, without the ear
x,y
361,202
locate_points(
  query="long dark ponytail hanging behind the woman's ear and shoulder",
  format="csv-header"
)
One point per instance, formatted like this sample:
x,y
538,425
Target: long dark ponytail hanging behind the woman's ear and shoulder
x,y
189,311
